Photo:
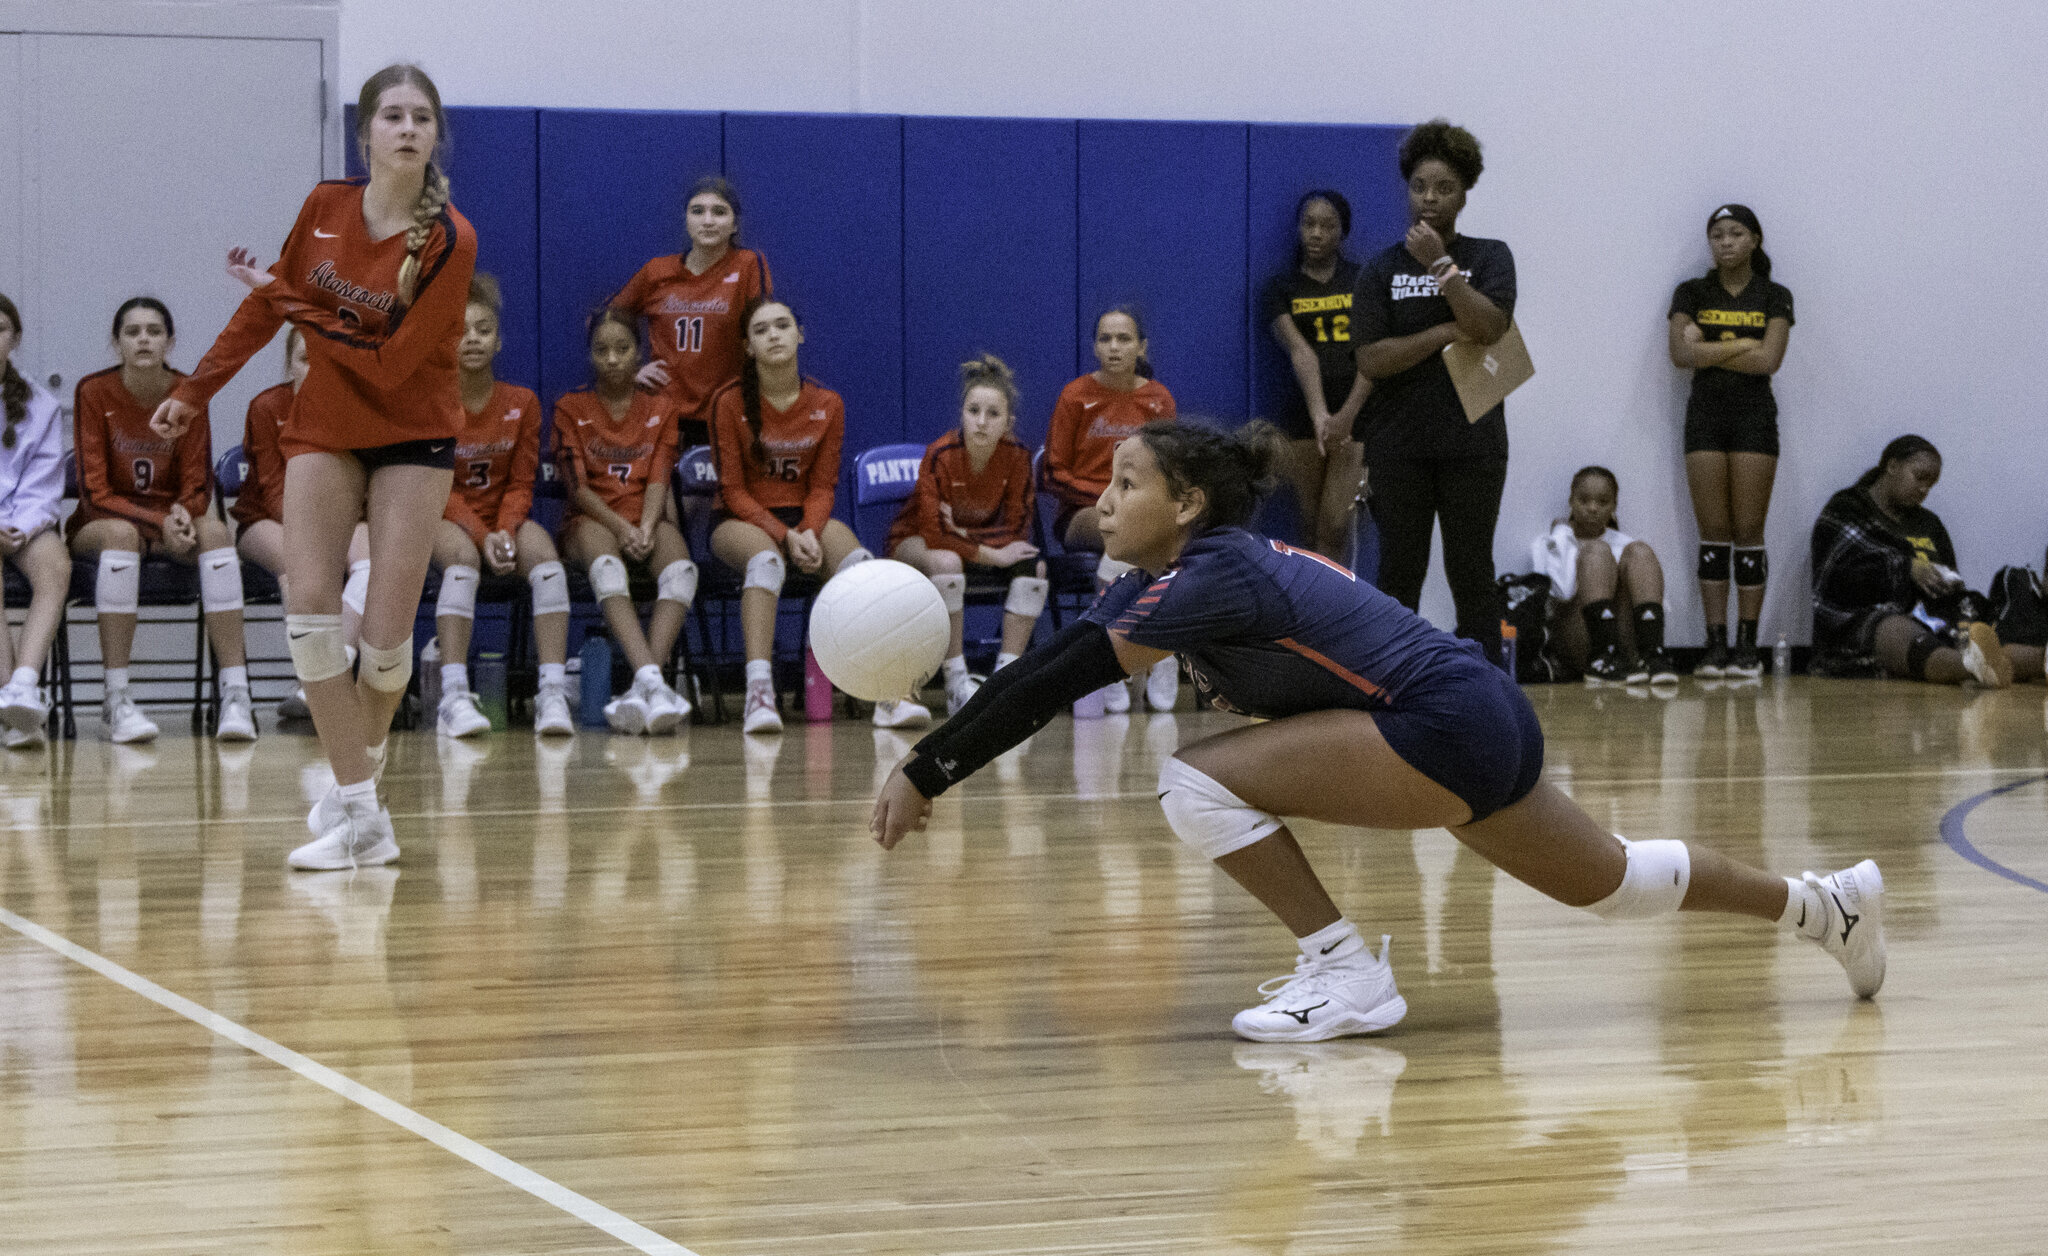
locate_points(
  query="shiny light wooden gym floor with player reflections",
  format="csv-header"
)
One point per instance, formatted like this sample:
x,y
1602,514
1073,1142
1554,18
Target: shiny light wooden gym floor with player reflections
x,y
667,997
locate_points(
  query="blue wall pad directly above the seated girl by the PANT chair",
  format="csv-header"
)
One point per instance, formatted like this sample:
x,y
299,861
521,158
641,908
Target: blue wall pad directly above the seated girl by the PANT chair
x,y
988,263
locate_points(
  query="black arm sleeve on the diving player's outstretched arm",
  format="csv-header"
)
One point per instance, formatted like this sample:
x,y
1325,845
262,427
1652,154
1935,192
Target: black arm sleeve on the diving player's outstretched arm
x,y
1015,704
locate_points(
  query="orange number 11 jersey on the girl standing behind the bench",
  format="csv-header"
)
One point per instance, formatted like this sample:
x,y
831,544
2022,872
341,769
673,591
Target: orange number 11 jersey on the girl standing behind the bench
x,y
693,323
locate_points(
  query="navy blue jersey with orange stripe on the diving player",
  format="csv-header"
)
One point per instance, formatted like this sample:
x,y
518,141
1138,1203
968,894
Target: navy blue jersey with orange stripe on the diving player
x,y
1271,630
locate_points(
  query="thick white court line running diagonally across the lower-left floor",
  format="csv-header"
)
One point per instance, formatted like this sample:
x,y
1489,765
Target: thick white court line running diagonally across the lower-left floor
x,y
396,1114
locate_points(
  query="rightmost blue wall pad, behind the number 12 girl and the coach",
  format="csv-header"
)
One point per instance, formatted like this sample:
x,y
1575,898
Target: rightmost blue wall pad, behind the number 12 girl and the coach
x,y
1285,161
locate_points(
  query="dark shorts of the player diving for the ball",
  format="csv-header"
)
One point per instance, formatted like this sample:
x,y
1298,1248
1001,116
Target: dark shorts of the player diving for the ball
x,y
1474,732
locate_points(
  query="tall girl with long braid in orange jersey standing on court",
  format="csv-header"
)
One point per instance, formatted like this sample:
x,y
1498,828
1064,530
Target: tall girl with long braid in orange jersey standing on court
x,y
378,276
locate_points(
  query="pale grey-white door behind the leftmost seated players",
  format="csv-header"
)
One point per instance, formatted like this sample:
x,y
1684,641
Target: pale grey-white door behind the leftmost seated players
x,y
146,161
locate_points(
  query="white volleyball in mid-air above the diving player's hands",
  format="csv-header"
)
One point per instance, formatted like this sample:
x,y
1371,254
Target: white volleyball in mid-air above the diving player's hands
x,y
880,630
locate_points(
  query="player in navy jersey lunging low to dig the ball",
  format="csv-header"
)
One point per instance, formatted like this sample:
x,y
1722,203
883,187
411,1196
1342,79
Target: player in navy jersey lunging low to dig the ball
x,y
1371,718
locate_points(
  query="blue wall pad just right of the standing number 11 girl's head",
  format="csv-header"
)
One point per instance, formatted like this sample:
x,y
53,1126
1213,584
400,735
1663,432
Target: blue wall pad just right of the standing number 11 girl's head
x,y
824,204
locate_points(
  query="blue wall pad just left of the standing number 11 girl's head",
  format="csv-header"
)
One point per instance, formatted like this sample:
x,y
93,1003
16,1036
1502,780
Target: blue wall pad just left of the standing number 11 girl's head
x,y
611,198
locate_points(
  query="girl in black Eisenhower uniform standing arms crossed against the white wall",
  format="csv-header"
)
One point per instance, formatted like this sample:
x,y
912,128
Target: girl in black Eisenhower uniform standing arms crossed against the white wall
x,y
1732,329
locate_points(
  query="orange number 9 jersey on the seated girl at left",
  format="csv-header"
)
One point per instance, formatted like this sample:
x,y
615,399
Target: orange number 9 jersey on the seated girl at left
x,y
130,472
